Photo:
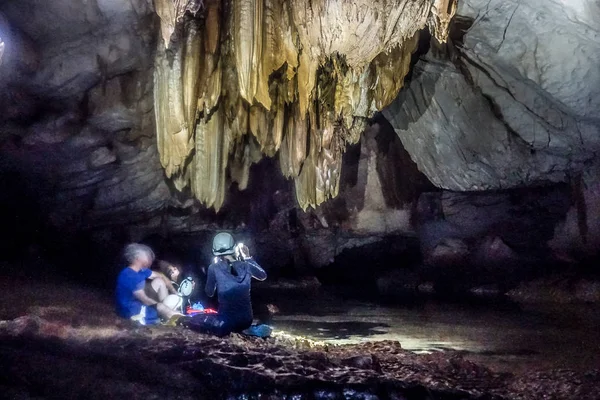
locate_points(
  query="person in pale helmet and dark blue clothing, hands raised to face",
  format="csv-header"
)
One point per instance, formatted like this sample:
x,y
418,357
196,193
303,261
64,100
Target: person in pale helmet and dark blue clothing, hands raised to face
x,y
230,277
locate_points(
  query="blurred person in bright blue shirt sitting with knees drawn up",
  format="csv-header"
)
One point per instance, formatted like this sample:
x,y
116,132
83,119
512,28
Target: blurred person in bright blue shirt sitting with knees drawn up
x,y
143,295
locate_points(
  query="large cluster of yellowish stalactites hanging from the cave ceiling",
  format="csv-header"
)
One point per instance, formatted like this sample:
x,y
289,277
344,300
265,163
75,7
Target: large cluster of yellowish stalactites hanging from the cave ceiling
x,y
237,80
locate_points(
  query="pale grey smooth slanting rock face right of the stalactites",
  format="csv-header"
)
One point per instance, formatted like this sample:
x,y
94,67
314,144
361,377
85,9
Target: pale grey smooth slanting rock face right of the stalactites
x,y
513,102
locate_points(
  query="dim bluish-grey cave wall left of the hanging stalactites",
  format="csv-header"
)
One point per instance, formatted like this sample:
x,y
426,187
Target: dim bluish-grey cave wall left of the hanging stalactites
x,y
77,124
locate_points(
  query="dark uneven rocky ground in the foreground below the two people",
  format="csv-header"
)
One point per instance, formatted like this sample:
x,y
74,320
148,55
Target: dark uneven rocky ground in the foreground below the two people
x,y
59,340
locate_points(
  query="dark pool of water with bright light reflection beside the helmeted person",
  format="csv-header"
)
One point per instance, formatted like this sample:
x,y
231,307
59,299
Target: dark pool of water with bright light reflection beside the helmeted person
x,y
503,335
